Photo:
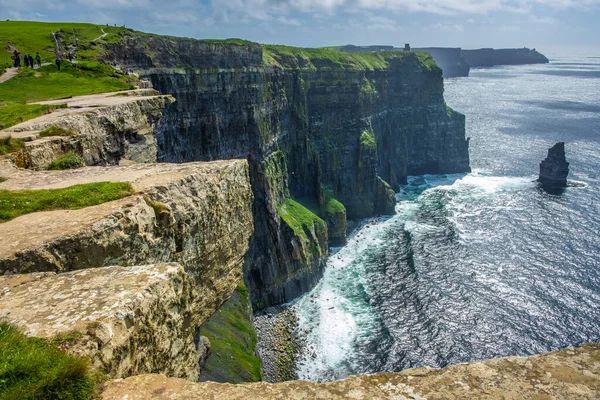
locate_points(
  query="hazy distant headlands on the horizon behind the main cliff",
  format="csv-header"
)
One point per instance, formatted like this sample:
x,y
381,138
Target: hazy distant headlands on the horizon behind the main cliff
x,y
458,62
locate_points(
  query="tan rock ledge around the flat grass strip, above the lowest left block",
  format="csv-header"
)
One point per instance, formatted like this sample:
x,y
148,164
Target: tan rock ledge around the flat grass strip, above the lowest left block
x,y
197,214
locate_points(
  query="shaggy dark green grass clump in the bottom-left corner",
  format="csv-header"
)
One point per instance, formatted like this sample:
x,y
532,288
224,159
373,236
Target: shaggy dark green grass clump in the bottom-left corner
x,y
34,369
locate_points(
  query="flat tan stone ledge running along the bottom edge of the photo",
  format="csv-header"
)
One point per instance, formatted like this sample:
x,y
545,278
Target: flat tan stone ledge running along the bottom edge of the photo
x,y
566,374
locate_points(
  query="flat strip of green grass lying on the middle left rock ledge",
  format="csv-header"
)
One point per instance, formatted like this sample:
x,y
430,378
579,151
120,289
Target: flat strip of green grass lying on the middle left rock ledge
x,y
18,202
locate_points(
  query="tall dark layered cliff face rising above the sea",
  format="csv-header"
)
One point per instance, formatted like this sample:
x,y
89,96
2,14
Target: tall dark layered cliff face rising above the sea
x,y
309,127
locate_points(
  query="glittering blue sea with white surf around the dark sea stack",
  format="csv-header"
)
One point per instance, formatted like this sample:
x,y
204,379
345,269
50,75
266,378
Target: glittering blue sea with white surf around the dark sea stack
x,y
480,265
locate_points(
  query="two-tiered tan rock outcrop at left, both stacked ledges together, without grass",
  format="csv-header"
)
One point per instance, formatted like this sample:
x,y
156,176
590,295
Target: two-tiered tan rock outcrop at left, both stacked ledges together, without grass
x,y
58,265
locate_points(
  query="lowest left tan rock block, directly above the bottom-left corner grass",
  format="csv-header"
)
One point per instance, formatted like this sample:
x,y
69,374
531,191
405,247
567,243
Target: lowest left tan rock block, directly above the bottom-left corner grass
x,y
128,320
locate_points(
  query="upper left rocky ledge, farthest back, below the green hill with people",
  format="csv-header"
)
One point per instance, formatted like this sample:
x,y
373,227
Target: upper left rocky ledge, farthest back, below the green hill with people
x,y
105,129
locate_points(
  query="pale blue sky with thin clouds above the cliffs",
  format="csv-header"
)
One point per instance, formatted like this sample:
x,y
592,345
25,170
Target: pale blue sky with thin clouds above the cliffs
x,y
551,26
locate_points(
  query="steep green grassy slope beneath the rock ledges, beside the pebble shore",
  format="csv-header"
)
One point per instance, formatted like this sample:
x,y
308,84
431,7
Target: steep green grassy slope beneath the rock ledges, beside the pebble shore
x,y
233,342
